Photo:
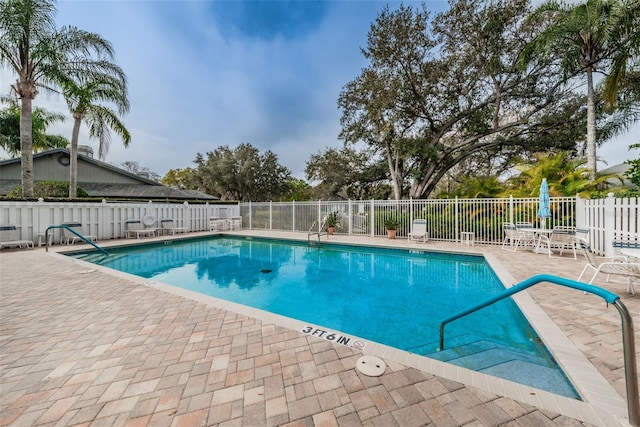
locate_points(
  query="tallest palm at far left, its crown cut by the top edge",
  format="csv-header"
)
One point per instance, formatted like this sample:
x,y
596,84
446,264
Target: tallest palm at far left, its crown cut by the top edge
x,y
41,55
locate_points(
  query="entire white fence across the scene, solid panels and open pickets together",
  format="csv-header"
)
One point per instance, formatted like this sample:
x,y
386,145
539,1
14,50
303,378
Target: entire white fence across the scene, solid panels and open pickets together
x,y
607,219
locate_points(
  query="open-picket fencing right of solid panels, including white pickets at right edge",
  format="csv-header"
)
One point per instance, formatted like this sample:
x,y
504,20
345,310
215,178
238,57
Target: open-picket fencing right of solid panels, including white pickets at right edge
x,y
446,218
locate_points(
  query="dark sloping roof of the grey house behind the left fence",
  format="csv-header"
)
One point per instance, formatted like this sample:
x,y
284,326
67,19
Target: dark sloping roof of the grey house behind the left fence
x,y
146,189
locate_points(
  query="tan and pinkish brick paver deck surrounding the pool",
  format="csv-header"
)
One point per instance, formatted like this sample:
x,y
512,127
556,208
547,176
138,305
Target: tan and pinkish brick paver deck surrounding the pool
x,y
84,347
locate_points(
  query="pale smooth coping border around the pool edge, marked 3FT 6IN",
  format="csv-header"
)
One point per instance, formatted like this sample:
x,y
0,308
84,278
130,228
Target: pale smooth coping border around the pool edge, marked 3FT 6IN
x,y
602,405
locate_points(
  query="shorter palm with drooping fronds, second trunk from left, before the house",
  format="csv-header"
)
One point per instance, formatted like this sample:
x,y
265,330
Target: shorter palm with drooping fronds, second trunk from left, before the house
x,y
83,96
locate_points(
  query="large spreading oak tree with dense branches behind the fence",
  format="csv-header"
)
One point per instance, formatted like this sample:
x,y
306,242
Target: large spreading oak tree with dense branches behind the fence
x,y
439,92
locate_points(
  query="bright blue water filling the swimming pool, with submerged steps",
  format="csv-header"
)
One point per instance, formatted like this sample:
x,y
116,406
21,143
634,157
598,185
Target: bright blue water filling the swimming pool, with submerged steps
x,y
394,297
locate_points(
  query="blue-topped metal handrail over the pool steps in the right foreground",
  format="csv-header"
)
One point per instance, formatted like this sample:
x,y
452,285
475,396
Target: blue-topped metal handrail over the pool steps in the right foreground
x,y
628,343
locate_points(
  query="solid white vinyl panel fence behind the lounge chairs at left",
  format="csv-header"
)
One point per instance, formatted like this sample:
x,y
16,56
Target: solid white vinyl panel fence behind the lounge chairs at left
x,y
106,220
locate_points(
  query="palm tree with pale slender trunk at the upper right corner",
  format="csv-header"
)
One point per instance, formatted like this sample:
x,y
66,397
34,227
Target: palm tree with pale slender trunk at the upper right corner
x,y
593,36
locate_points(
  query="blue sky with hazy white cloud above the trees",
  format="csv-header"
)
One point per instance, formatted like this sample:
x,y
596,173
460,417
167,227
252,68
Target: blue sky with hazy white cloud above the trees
x,y
208,73
